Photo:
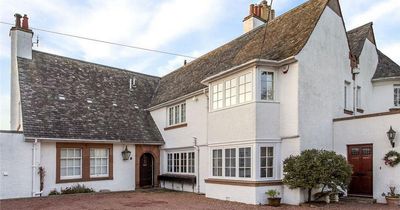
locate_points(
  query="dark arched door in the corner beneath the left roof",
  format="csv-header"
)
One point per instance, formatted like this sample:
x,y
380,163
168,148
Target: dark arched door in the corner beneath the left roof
x,y
146,170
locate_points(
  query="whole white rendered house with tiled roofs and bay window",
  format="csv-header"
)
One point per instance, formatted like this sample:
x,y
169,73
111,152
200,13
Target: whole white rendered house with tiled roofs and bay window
x,y
222,124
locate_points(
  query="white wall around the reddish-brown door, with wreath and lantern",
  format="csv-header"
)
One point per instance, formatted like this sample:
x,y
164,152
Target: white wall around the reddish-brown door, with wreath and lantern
x,y
372,131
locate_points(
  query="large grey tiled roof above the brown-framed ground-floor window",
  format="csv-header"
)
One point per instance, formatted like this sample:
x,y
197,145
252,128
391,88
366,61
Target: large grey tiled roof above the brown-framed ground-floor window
x,y
56,94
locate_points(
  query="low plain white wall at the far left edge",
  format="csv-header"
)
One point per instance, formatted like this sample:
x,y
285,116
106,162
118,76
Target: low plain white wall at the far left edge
x,y
16,166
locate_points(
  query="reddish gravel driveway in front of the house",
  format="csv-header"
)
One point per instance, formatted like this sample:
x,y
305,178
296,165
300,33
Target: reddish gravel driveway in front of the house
x,y
154,199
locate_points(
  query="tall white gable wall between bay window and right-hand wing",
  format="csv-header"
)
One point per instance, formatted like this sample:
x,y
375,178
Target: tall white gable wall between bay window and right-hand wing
x,y
324,65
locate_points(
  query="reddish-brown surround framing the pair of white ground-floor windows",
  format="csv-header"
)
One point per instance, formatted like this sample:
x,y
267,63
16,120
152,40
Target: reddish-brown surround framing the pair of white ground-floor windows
x,y
85,148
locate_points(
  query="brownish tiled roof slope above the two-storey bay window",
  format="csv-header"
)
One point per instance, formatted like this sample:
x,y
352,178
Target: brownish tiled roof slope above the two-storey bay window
x,y
285,37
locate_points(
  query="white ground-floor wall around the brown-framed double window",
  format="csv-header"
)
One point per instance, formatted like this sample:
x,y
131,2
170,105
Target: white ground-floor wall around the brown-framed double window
x,y
123,177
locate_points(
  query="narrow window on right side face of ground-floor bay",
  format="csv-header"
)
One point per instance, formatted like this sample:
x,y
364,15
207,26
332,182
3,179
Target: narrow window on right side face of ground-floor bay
x,y
266,162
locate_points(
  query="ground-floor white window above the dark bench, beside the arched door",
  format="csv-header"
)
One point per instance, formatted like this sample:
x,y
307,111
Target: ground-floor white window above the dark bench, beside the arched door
x,y
181,162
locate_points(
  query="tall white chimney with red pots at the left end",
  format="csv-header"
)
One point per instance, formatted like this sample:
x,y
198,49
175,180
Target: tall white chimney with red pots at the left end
x,y
21,46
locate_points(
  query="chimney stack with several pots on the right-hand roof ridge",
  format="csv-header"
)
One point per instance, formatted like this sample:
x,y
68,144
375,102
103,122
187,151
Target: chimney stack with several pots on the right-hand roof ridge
x,y
258,15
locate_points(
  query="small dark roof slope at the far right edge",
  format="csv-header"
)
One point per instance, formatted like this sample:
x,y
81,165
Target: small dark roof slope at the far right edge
x,y
386,67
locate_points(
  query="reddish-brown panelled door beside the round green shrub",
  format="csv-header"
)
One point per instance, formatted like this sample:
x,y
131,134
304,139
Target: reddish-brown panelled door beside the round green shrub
x,y
360,157
